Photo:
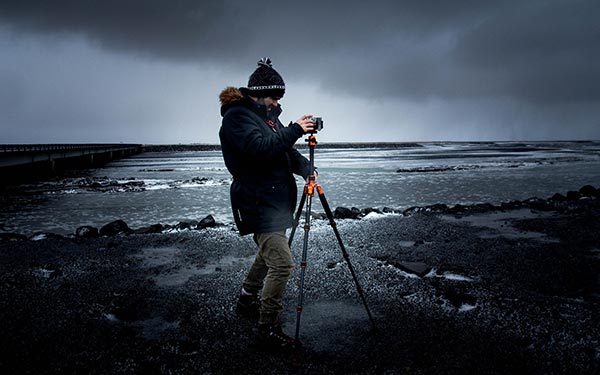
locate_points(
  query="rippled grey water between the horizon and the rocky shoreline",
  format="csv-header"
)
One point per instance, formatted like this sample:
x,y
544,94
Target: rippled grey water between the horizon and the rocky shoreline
x,y
170,187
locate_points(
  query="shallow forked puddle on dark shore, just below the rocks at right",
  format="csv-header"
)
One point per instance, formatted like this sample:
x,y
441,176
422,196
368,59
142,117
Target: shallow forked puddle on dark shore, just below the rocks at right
x,y
500,224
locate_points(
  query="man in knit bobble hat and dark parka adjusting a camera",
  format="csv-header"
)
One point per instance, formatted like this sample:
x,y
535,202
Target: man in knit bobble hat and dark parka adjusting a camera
x,y
258,152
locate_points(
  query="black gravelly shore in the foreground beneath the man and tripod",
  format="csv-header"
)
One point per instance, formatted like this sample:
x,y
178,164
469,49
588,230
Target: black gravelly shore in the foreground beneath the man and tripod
x,y
511,289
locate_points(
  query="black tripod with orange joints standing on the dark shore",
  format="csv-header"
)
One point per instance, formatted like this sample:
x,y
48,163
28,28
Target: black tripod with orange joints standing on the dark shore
x,y
307,195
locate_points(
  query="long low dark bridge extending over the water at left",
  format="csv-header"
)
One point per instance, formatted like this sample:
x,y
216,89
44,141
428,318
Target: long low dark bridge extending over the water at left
x,y
27,162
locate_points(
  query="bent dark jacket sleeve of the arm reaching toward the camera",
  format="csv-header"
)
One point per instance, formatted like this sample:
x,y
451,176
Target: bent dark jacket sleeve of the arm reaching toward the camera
x,y
244,133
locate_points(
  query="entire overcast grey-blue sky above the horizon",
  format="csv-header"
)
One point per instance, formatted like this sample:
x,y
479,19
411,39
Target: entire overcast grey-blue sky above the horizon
x,y
150,71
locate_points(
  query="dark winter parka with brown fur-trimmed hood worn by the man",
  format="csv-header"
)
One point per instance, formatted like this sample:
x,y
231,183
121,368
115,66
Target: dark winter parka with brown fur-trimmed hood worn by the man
x,y
258,152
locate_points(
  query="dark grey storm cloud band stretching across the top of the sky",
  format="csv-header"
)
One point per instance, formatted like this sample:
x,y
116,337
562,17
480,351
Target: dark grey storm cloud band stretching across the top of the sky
x,y
538,51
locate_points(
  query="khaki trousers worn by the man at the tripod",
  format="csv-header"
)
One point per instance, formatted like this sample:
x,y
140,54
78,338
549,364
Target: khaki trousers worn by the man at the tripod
x,y
270,271
